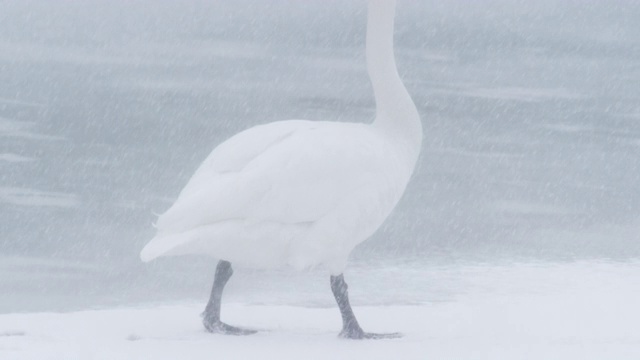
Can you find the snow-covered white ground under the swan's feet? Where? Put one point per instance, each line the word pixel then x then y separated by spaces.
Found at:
pixel 583 310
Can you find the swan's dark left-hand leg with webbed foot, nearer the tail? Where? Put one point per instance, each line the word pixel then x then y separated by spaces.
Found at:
pixel 211 314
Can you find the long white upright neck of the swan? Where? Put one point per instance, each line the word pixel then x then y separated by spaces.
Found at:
pixel 396 113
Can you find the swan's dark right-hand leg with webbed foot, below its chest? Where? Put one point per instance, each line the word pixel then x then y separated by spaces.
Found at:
pixel 350 327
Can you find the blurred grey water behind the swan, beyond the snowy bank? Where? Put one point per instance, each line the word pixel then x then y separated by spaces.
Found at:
pixel 531 113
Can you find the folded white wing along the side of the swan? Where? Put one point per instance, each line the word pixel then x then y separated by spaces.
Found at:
pixel 286 172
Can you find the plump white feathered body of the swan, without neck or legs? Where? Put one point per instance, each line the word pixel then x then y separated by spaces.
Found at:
pixel 297 193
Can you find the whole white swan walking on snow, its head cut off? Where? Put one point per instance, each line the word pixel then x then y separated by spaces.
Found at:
pixel 300 193
